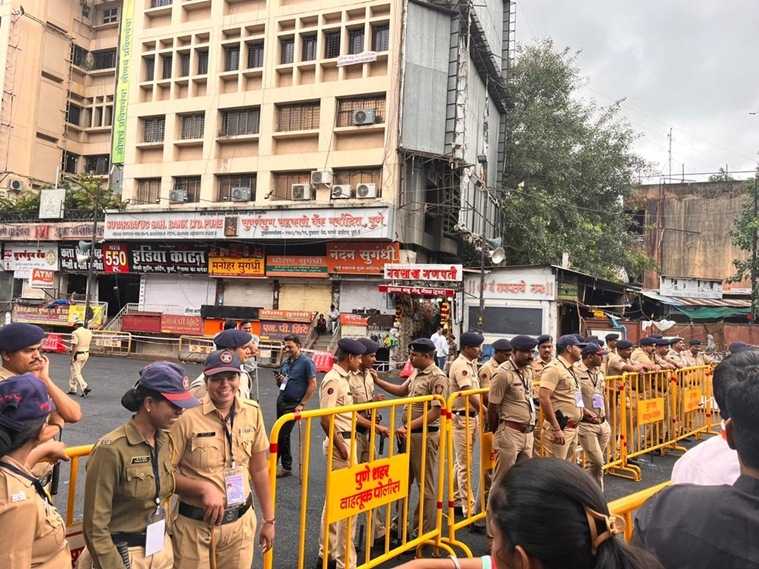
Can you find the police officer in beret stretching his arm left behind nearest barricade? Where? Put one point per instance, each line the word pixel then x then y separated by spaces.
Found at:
pixel 426 379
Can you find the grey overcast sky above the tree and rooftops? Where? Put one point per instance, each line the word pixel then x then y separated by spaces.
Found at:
pixel 689 65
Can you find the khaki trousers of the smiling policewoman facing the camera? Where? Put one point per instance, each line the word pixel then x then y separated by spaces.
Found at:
pixel 233 542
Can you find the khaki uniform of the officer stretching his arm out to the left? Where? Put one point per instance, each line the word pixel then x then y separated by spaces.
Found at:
pixel 429 381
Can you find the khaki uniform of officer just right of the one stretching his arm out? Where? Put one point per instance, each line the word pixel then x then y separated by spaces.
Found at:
pixel 463 377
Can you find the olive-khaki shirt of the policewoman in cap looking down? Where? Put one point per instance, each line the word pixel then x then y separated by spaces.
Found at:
pixel 120 489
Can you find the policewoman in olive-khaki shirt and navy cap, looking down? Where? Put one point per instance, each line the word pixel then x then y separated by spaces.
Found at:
pixel 130 476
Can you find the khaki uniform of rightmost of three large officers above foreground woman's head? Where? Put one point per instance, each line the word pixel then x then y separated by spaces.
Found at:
pixel 594 437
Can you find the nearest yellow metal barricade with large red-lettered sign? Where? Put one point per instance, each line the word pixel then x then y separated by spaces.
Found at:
pixel 366 487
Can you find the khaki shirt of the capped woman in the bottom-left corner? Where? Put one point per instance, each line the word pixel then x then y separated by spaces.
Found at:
pixel 35 533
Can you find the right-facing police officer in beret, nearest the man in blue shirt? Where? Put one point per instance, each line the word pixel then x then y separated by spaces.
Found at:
pixel 336 391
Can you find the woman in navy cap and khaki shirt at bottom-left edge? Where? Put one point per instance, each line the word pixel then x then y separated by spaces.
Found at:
pixel 34 531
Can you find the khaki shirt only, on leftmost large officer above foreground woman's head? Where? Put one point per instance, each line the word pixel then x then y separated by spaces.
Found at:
pixel 511 390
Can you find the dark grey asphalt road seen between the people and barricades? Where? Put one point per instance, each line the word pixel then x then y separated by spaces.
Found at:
pixel 111 377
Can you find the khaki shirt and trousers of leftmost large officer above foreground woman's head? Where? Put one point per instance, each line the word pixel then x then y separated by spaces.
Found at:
pixel 511 391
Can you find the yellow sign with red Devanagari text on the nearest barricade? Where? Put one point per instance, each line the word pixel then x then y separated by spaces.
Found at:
pixel 366 486
